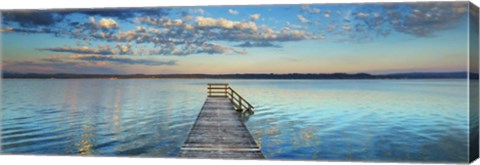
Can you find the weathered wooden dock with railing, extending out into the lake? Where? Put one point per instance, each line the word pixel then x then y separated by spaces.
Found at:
pixel 219 131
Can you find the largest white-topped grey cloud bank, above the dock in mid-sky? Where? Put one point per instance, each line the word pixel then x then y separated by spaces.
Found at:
pixel 206 29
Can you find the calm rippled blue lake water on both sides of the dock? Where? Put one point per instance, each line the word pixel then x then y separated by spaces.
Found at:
pixel 368 120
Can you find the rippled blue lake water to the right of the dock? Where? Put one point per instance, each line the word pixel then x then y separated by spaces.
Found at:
pixel 360 120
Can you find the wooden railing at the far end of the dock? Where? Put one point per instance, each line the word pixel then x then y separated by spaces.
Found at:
pixel 238 101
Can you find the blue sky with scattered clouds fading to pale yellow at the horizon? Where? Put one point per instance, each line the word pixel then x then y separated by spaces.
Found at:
pixel 373 38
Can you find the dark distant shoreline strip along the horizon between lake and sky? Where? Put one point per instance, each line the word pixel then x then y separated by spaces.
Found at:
pixel 300 76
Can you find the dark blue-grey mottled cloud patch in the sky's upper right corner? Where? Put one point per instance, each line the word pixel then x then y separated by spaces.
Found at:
pixel 421 19
